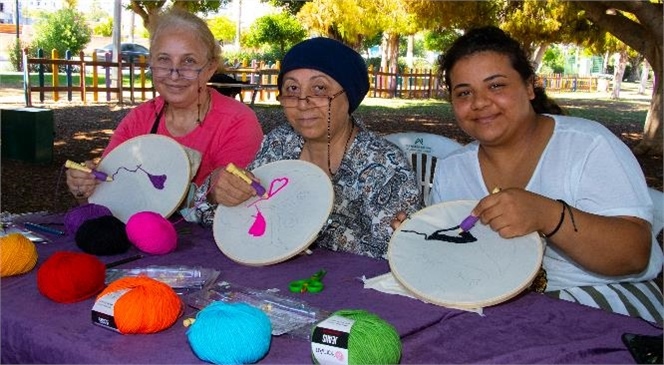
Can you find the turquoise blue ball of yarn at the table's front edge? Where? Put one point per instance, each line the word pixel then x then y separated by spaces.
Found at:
pixel 230 333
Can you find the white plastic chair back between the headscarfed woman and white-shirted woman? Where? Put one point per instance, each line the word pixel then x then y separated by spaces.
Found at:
pixel 423 150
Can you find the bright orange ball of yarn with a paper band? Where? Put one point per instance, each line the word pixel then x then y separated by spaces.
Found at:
pixel 148 306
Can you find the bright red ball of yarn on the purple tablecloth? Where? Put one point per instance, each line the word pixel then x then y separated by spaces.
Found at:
pixel 69 277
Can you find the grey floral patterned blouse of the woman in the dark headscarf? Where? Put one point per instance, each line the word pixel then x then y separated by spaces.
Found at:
pixel 373 183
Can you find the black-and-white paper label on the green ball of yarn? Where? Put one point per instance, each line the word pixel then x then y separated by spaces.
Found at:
pixel 329 340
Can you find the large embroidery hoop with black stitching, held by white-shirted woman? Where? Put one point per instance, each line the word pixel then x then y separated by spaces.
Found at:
pixel 470 275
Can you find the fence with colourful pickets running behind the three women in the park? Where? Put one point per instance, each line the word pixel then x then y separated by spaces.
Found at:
pixel 90 79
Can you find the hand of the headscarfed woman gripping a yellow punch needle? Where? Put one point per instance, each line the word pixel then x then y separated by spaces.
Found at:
pixel 228 189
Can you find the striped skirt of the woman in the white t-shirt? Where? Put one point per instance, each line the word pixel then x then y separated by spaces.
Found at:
pixel 643 299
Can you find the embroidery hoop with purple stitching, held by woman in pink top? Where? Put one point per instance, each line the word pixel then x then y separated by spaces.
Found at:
pixel 133 192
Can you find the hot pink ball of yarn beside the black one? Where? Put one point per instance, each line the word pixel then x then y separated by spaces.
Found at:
pixel 152 233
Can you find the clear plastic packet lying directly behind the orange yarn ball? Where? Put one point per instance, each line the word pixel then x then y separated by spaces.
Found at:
pixel 183 279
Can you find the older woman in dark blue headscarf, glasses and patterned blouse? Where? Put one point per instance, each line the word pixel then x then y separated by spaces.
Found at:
pixel 321 83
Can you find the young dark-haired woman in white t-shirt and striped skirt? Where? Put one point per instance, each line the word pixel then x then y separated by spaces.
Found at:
pixel 569 179
